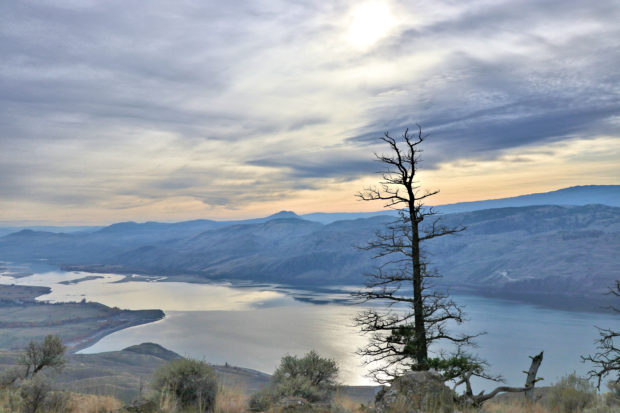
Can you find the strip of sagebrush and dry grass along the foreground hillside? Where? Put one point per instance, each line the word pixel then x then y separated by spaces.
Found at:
pixel 299 384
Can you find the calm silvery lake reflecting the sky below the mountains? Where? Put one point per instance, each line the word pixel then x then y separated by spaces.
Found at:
pixel 253 326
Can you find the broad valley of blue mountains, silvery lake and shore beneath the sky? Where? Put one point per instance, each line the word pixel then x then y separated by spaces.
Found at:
pixel 531 277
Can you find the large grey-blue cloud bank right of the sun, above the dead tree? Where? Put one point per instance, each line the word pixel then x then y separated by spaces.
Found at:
pixel 512 74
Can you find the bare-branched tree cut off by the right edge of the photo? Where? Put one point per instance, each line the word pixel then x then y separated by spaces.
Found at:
pixel 606 360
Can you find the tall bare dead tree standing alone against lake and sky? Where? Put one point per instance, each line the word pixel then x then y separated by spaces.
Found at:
pixel 417 314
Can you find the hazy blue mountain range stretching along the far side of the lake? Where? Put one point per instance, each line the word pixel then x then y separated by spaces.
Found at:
pixel 536 249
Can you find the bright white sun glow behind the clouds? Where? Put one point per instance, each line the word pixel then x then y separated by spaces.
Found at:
pixel 369 22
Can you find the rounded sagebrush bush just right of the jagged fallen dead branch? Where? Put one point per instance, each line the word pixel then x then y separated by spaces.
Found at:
pixel 572 394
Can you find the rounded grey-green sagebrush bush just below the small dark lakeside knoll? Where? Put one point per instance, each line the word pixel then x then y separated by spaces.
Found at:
pixel 188 383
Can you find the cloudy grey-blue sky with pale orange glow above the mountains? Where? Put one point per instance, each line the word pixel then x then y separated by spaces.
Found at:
pixel 123 110
